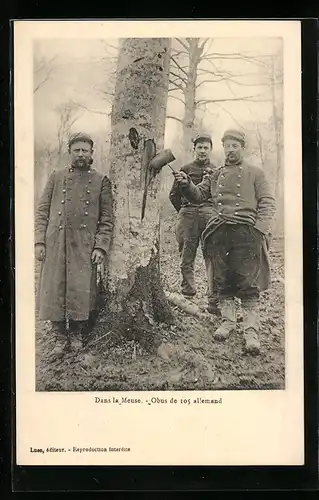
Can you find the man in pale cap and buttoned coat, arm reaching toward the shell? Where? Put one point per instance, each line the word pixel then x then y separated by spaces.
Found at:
pixel 237 235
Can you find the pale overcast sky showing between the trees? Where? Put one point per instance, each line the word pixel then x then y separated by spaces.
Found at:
pixel 79 66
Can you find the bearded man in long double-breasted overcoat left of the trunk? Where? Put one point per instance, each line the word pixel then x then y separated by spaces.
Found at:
pixel 73 228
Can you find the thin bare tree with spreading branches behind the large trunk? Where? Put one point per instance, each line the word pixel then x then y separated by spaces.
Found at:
pixel 193 64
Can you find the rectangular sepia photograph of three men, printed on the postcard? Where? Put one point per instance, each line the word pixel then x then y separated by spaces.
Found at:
pixel 159 235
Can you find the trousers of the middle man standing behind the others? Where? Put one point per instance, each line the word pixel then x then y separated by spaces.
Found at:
pixel 191 222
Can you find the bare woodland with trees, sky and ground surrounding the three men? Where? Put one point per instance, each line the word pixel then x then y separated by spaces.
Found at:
pixel 166 91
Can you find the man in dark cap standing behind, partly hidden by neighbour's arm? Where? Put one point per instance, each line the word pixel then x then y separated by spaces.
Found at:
pixel 192 219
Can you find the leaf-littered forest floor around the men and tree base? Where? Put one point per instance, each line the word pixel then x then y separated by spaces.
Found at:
pixel 189 358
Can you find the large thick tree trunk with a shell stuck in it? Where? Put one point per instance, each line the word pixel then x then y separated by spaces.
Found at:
pixel 135 297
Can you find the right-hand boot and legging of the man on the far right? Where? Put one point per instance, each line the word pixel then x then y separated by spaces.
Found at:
pixel 251 327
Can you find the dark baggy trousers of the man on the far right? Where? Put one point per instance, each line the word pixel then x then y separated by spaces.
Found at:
pixel 235 250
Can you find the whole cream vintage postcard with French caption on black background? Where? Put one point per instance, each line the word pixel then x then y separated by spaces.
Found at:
pixel 158 243
